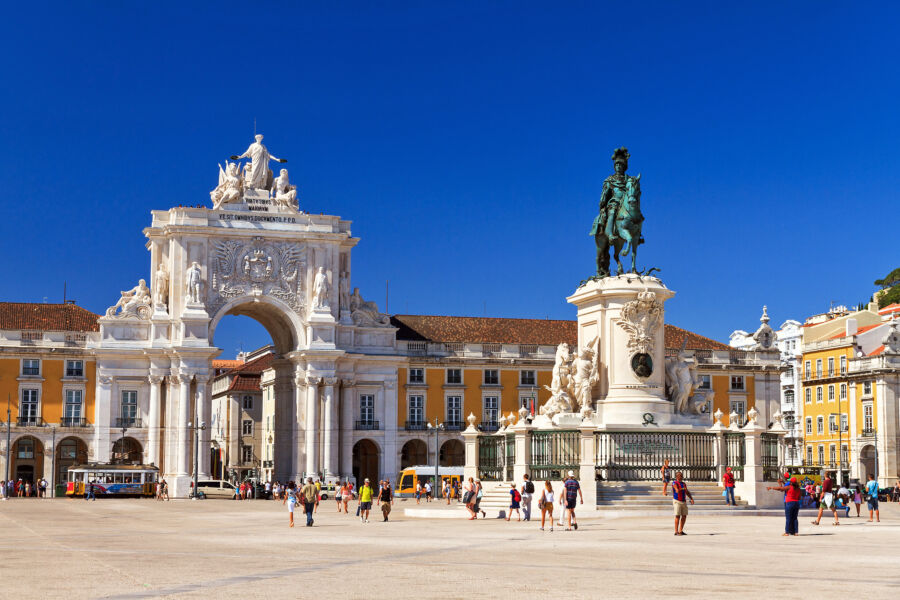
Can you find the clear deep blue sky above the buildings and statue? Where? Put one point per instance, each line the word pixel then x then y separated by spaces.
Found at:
pixel 468 143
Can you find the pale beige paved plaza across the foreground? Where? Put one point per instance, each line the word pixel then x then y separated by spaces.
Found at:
pixel 224 549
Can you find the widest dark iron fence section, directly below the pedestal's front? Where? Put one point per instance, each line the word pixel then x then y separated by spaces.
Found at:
pixel 639 456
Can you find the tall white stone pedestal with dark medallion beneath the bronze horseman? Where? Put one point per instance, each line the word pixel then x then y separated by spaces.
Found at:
pixel 627 314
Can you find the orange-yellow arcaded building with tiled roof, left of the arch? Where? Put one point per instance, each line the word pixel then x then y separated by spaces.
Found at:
pixel 47 375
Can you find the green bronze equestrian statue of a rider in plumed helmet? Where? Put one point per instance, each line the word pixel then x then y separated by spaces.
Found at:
pixel 618 223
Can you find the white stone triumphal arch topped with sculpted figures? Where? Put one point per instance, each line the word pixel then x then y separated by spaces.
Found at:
pixel 253 251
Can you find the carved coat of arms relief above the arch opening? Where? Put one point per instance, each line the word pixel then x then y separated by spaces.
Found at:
pixel 257 268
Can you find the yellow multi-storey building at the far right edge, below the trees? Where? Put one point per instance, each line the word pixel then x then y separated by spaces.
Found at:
pixel 846 367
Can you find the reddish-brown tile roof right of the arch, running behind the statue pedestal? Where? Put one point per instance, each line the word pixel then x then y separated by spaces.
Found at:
pixel 544 332
